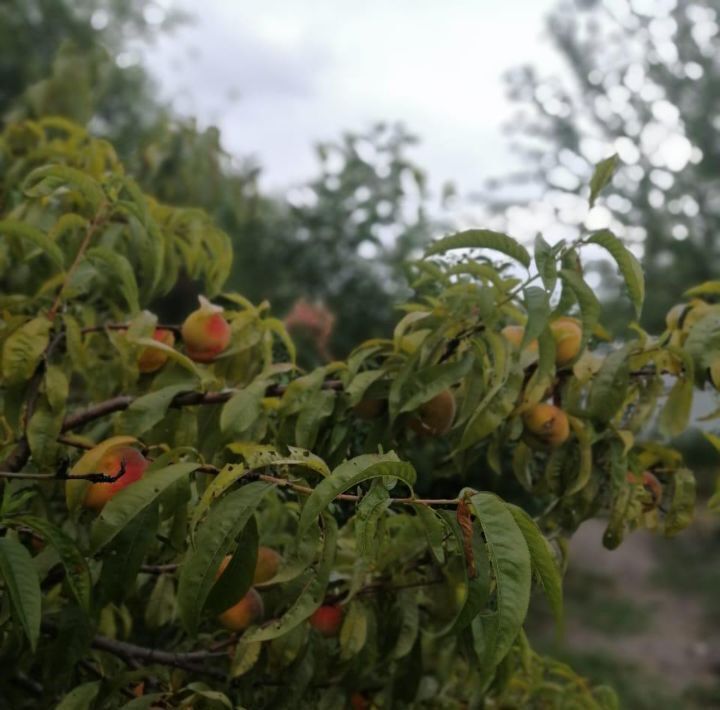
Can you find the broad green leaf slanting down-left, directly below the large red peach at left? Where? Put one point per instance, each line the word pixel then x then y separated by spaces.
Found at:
pixel 129 502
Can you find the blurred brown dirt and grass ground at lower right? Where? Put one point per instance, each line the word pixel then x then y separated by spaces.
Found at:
pixel 644 618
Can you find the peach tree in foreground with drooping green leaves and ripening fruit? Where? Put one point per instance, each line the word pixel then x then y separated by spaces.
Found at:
pixel 189 518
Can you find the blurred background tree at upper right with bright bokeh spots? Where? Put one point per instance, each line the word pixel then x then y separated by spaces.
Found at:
pixel 642 79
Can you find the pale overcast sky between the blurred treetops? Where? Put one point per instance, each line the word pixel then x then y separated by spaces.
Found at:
pixel 278 75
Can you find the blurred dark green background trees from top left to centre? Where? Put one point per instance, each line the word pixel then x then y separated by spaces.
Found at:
pixel 340 239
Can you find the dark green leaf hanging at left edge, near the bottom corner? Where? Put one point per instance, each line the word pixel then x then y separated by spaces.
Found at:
pixel 22 585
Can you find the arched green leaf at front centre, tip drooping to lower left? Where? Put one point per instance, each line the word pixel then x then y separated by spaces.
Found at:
pixel 349 474
